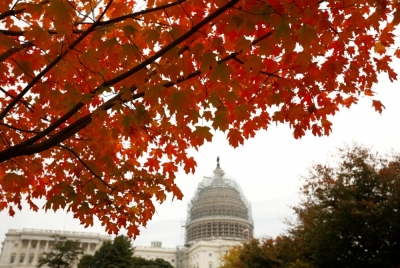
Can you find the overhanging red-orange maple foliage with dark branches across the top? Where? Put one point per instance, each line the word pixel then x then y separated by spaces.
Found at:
pixel 101 100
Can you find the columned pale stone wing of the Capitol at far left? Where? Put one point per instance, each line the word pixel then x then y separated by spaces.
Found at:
pixel 24 248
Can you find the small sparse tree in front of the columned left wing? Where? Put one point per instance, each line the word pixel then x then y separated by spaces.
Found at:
pixel 64 255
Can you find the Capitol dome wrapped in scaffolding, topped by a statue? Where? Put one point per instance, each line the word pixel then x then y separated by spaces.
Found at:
pixel 219 210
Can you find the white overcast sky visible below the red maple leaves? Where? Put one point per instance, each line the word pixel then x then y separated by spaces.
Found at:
pixel 267 167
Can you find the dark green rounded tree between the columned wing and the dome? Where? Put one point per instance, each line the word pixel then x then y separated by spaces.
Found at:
pixel 115 254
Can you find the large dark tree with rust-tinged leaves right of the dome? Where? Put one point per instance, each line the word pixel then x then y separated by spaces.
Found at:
pixel 349 216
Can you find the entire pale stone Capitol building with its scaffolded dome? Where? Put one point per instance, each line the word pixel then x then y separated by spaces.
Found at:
pixel 219 217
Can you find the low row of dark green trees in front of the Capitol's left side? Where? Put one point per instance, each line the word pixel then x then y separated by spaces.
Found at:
pixel 116 254
